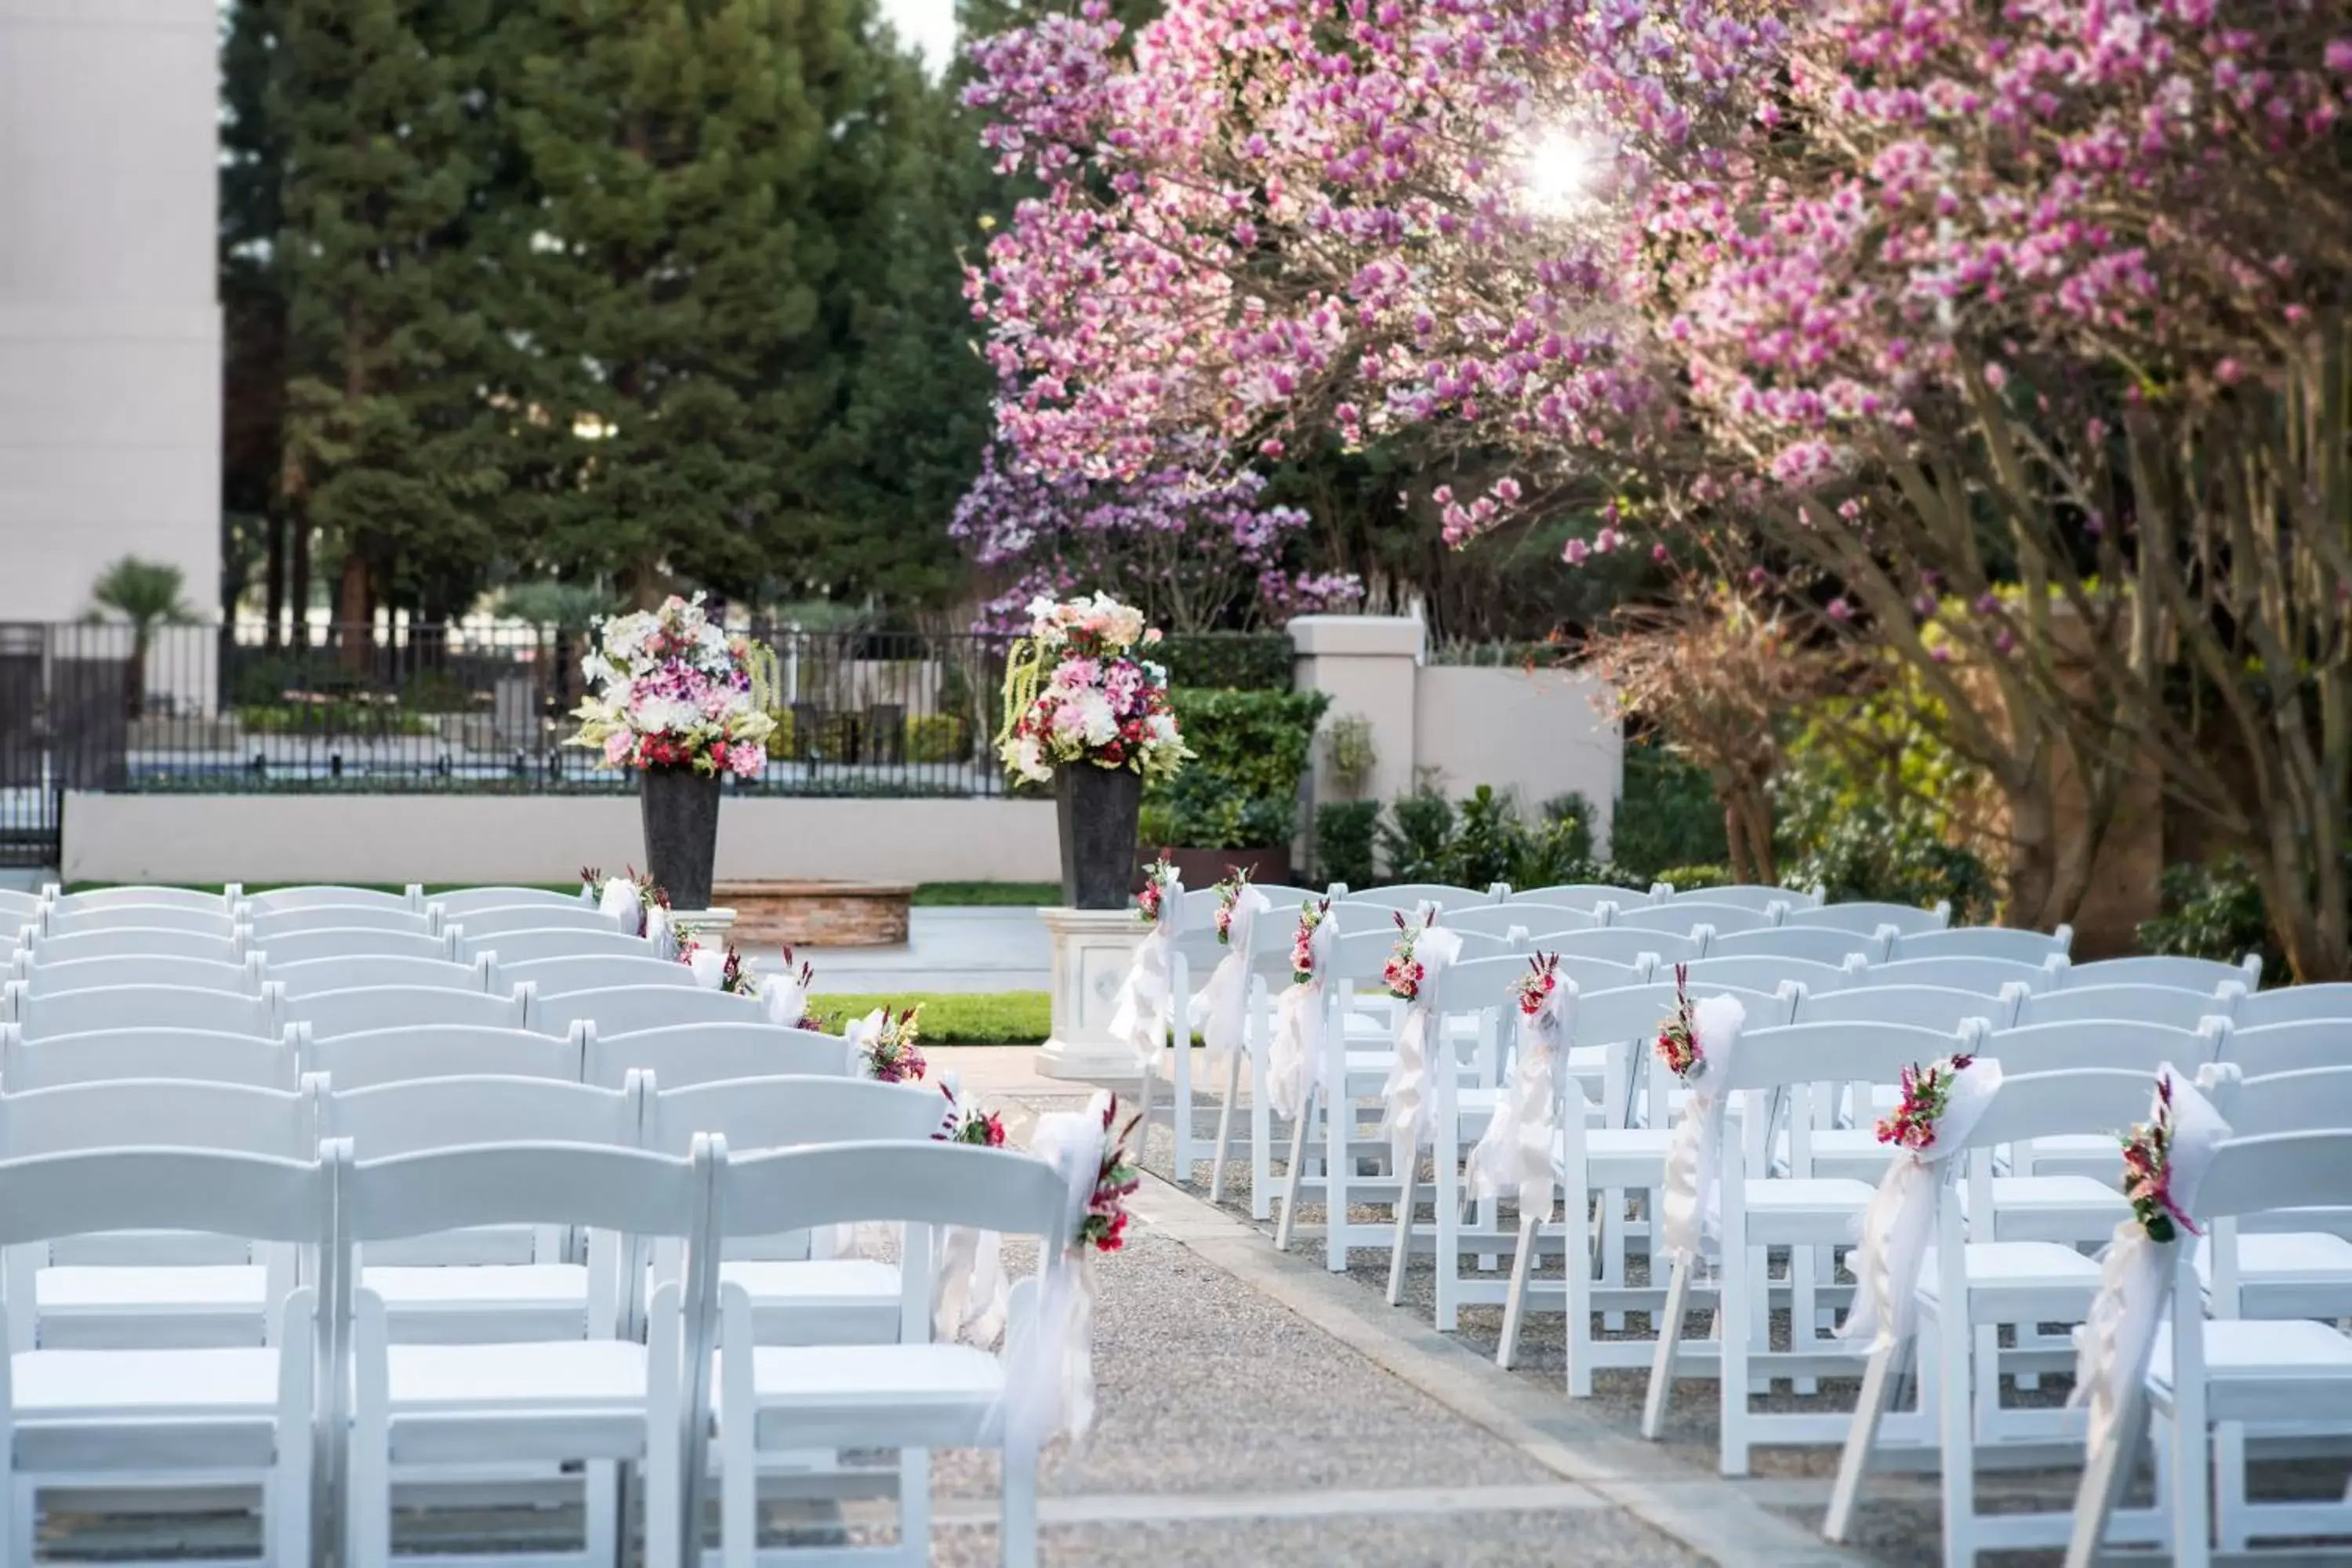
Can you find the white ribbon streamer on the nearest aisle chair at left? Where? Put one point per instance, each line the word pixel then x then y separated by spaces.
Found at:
pixel 1050 1388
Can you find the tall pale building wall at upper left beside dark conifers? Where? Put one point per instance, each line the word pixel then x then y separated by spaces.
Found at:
pixel 109 323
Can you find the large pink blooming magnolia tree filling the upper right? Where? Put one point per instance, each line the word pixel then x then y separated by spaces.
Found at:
pixel 2010 333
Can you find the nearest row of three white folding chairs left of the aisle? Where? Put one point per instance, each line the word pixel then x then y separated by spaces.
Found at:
pixel 434 1402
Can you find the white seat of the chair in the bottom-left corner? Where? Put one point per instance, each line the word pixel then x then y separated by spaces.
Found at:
pixel 131 1386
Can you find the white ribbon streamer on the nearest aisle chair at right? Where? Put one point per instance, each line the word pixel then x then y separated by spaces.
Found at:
pixel 2132 1273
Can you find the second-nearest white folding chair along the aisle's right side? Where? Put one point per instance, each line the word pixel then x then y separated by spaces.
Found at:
pixel 1970 1287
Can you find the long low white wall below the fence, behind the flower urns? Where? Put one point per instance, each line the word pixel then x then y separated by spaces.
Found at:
pixel 547 838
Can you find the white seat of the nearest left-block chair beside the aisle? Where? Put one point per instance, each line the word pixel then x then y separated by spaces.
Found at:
pixel 944 1395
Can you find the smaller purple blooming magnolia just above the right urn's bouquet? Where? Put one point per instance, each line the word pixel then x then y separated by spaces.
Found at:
pixel 1194 554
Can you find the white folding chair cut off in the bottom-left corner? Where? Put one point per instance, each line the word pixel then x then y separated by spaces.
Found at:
pixel 173 1419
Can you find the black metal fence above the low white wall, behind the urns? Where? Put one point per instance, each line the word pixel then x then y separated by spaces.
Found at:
pixel 479 709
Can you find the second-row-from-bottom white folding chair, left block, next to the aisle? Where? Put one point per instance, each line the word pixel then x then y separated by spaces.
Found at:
pixel 799 1299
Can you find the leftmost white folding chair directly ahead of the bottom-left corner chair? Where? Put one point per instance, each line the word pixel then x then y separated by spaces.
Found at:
pixel 152 1292
